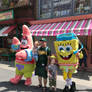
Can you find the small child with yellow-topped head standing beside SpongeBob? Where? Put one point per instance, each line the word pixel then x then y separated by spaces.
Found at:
pixel 52 70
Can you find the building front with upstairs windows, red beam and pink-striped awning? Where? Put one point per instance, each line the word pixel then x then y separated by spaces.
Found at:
pixel 54 17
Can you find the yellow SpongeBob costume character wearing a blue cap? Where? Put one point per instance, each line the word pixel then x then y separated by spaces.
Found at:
pixel 67 50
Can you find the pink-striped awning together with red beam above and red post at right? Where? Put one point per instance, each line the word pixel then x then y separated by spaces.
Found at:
pixel 50 28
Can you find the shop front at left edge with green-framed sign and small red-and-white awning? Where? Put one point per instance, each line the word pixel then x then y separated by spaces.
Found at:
pixel 7 31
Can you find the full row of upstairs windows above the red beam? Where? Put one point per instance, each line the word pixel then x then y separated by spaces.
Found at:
pixel 61 8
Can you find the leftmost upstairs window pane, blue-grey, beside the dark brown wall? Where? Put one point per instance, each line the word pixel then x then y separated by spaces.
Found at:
pixel 45 8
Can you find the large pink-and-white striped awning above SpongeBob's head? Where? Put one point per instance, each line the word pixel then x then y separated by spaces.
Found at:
pixel 80 27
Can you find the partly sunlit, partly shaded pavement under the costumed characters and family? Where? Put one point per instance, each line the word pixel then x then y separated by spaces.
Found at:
pixel 83 80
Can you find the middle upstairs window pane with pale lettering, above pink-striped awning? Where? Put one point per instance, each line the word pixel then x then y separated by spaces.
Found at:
pixel 62 7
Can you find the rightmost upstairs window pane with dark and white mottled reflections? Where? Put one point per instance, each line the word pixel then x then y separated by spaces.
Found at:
pixel 82 6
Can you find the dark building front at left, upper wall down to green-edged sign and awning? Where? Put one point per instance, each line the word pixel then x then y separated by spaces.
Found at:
pixel 13 14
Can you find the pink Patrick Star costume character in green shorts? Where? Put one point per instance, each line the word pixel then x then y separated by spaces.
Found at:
pixel 24 62
